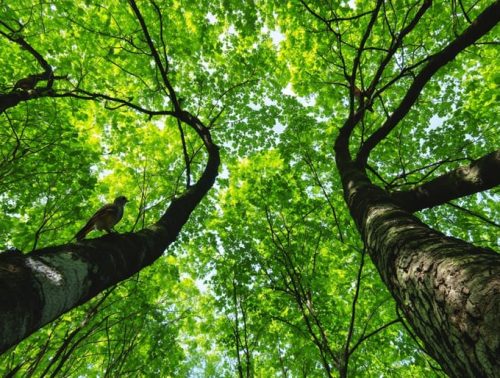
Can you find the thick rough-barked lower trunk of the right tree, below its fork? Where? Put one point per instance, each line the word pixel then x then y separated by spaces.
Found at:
pixel 448 290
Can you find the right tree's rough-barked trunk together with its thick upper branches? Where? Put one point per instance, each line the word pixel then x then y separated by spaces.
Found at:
pixel 448 290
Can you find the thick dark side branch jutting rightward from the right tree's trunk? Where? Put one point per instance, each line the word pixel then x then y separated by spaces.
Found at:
pixel 482 174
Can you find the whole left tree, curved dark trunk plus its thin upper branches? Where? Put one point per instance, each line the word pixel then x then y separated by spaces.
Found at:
pixel 39 287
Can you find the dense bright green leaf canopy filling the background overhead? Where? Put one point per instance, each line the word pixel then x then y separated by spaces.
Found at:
pixel 269 277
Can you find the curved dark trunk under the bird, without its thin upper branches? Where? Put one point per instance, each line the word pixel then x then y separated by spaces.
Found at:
pixel 38 287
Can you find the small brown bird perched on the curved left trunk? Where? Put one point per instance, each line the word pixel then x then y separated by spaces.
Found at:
pixel 105 218
